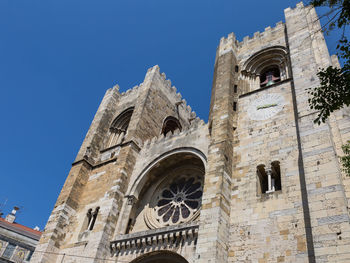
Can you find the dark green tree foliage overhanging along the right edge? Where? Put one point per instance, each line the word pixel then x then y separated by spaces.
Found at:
pixel 333 92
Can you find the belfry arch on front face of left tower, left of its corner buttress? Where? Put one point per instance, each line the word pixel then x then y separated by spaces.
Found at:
pixel 119 127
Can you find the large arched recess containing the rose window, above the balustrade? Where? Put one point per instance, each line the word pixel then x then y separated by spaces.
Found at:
pixel 170 193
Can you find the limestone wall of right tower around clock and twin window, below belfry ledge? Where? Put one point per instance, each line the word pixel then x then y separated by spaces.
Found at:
pixel 271 225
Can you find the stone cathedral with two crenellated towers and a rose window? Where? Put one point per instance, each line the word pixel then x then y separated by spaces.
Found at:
pixel 260 182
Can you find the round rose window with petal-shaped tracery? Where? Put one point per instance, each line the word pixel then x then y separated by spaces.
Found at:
pixel 177 200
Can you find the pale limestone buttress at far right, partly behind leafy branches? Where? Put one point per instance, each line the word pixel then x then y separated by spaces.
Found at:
pixel 325 196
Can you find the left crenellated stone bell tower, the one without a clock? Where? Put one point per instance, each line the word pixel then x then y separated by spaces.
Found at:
pixel 85 215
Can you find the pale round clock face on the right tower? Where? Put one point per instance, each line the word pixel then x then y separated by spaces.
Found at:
pixel 266 106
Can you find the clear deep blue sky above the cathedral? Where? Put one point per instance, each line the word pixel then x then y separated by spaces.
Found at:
pixel 57 59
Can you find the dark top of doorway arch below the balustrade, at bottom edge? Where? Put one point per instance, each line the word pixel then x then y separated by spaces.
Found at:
pixel 160 257
